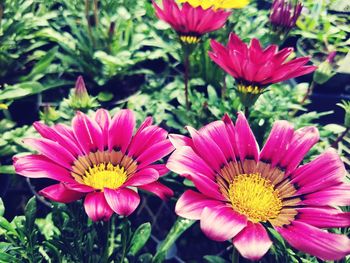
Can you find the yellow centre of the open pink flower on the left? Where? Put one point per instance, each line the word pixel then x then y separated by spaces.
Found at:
pixel 105 175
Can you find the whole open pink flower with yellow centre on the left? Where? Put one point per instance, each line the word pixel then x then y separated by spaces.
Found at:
pixel 100 159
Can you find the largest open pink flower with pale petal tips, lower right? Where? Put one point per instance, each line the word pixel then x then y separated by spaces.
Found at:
pixel 242 189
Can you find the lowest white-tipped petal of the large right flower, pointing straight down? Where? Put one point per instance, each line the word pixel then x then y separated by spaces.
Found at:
pixel 252 242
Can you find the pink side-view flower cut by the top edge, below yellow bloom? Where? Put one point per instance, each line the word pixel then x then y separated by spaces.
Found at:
pixel 191 22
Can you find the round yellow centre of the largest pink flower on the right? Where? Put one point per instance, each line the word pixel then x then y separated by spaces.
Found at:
pixel 254 197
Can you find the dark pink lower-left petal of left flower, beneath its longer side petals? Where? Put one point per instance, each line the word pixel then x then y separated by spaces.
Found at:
pixel 60 193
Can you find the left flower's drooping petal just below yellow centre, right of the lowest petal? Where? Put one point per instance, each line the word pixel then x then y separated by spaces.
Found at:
pixel 123 201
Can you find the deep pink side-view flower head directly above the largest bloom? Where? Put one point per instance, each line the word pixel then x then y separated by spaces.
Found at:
pixel 255 68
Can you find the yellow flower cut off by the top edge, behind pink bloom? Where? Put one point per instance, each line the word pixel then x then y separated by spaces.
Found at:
pixel 217 4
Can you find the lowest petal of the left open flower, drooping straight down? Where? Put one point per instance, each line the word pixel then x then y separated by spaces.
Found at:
pixel 96 207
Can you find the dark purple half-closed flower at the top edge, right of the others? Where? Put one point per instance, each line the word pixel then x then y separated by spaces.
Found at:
pixel 285 13
